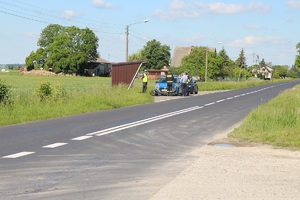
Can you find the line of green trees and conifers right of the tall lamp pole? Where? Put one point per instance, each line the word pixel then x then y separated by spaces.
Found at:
pixel 220 66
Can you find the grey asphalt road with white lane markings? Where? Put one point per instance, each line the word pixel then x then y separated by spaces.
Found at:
pixel 127 153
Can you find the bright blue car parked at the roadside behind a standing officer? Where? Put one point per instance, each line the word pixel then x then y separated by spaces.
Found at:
pixel 161 87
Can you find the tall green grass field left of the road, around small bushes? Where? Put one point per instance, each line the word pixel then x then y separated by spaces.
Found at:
pixel 81 95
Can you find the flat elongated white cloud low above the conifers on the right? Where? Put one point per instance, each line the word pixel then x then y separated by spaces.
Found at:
pixel 256 40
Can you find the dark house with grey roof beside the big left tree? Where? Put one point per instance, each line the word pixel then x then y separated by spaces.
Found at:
pixel 100 67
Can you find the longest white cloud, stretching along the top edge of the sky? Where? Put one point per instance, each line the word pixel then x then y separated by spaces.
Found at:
pixel 179 9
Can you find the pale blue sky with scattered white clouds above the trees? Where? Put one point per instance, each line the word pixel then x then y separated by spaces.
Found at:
pixel 269 29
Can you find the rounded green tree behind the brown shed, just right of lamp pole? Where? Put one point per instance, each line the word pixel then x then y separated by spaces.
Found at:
pixel 156 55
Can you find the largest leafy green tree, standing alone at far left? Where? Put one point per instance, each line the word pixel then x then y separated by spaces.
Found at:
pixel 64 49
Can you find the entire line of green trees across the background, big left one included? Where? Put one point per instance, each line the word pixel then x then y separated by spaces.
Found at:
pixel 69 49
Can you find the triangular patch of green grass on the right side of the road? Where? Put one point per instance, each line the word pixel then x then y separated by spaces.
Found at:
pixel 276 123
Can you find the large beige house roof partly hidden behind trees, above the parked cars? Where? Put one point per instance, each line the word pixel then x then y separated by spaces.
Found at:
pixel 181 52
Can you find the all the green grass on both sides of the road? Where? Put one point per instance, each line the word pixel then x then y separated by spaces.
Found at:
pixel 35 98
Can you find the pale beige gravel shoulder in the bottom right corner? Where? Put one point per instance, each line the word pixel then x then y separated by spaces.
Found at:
pixel 236 171
